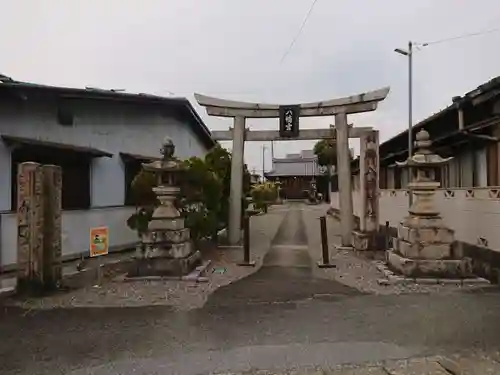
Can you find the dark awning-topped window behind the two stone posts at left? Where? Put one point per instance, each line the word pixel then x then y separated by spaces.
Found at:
pixel 75 174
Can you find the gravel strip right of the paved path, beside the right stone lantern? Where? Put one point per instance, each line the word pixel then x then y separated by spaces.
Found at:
pixel 355 270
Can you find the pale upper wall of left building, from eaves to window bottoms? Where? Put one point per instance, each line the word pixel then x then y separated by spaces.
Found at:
pixel 106 125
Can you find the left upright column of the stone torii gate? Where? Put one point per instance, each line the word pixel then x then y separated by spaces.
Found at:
pixel 234 230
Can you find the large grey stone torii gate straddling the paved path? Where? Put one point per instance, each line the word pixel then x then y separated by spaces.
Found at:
pixel 339 108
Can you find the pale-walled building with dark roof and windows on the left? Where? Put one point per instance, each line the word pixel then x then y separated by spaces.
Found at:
pixel 99 138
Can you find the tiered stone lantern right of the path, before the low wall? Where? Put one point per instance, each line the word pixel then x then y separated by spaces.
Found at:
pixel 423 247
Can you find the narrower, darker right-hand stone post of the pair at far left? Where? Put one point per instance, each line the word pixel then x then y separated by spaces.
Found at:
pixel 52 178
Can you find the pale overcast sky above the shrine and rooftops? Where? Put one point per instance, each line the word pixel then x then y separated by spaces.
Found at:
pixel 233 48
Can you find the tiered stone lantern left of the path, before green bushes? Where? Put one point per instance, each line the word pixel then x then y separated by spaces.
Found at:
pixel 167 243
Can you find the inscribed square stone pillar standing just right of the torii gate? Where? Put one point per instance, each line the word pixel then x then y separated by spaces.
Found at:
pixel 369 189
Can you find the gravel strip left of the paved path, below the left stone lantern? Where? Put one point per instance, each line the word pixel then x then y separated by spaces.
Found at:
pixel 180 295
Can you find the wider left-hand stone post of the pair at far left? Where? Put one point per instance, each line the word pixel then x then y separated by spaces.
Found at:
pixel 30 221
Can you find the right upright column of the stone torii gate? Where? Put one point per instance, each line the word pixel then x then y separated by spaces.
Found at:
pixel 344 176
